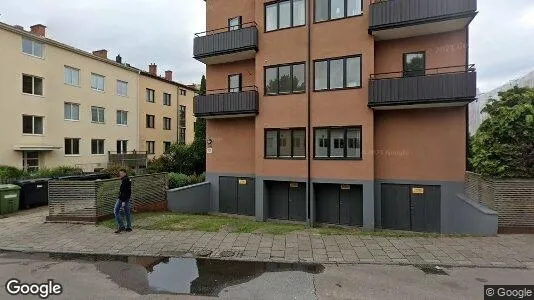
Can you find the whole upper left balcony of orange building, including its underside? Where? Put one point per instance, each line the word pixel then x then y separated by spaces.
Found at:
pixel 226 44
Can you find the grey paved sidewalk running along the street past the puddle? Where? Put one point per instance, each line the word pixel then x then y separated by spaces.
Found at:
pixel 28 232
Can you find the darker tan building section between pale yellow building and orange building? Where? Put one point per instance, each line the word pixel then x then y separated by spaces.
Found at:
pixel 165 112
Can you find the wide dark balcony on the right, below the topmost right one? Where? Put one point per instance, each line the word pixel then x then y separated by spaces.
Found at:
pixel 438 87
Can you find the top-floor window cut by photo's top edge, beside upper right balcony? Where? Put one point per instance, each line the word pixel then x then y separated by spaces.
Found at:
pixel 336 9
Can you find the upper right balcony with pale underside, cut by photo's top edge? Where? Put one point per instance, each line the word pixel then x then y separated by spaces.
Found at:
pixel 396 19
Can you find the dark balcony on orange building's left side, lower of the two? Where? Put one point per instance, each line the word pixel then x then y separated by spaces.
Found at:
pixel 225 104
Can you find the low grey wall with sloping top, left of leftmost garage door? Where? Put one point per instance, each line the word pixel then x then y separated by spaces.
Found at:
pixel 190 199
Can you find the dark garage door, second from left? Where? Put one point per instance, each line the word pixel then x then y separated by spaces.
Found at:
pixel 286 200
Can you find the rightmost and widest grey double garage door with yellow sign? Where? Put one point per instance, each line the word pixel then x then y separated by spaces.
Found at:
pixel 411 207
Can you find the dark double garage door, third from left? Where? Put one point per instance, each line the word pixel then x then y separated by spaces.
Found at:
pixel 339 204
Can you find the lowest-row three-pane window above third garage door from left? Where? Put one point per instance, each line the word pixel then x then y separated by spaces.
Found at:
pixel 338 143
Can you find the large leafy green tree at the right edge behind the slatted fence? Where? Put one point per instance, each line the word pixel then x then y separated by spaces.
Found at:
pixel 503 146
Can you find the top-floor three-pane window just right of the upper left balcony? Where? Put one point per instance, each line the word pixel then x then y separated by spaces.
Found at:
pixel 285 14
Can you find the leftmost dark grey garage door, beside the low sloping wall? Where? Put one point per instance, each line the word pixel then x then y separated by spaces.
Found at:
pixel 237 195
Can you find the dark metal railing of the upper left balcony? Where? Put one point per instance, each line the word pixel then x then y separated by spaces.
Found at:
pixel 225 41
